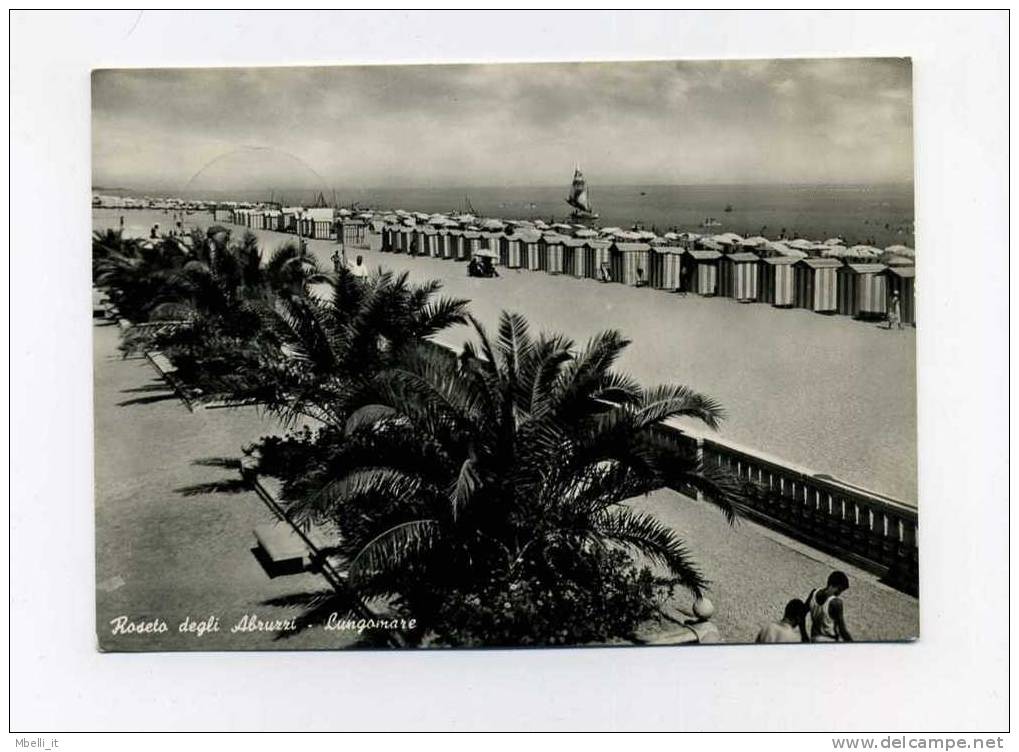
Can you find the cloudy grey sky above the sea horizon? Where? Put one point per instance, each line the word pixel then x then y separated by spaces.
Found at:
pixel 843 121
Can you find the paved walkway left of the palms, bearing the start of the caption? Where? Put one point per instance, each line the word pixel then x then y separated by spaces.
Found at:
pixel 162 554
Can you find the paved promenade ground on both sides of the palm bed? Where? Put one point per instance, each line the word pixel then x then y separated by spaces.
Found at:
pixel 165 554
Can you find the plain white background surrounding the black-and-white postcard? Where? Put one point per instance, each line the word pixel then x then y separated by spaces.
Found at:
pixel 954 679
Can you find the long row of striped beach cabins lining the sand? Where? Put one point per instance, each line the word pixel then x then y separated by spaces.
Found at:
pixel 827 286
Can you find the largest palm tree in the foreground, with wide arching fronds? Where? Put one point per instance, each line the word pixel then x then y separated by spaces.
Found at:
pixel 509 468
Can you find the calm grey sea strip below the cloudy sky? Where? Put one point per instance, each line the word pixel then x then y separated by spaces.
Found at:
pixel 877 214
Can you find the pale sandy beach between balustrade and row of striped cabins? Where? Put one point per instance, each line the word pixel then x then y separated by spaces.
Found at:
pixel 828 393
